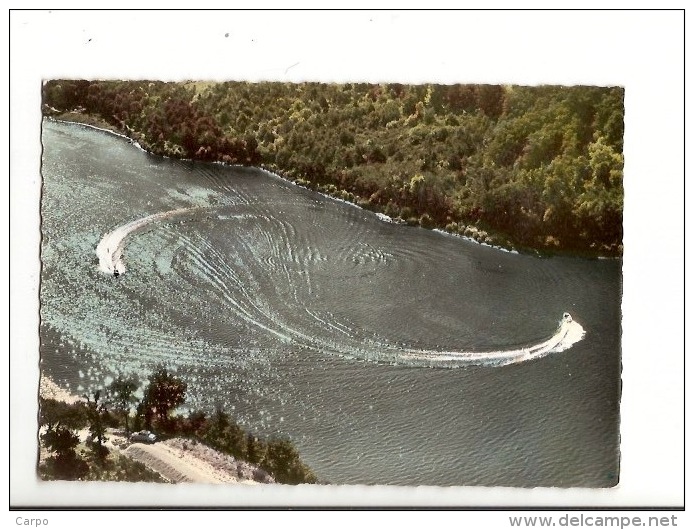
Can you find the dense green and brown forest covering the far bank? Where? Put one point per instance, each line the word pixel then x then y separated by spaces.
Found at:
pixel 530 168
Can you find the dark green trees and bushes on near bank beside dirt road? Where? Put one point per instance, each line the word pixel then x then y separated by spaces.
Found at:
pixel 113 406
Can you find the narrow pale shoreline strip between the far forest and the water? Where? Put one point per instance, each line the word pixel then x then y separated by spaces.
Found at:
pixel 487 238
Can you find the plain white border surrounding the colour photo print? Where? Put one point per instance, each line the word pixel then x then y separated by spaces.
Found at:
pixel 642 51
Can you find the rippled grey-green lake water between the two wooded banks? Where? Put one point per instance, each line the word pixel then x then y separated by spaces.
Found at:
pixel 291 310
